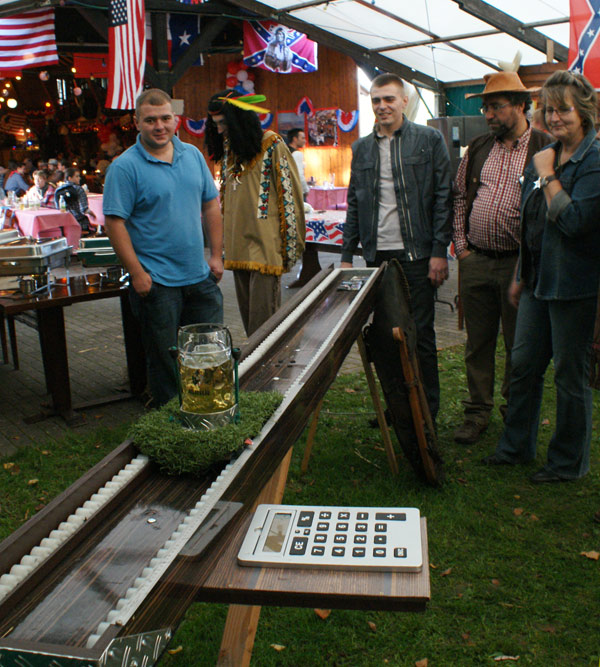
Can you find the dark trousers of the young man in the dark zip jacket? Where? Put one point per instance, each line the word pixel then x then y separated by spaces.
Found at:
pixel 422 300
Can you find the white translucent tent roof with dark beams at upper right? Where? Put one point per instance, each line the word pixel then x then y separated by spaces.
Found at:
pixel 439 41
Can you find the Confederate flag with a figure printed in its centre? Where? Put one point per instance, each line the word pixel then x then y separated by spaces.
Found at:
pixel 274 47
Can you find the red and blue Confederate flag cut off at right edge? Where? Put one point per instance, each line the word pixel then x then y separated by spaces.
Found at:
pixel 584 45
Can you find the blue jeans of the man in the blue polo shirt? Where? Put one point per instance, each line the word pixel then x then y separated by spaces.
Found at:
pixel 160 314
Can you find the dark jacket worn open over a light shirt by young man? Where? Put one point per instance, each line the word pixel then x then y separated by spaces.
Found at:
pixel 421 168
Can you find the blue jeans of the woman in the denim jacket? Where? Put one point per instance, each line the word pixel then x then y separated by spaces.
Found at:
pixel 561 330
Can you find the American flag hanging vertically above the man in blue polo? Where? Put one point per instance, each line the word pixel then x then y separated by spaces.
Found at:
pixel 126 53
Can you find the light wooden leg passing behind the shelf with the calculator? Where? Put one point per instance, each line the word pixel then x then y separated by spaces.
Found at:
pixel 242 620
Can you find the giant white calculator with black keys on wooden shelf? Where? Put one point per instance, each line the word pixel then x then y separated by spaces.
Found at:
pixel 349 538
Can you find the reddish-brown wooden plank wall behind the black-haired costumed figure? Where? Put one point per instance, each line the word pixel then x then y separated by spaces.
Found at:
pixel 334 85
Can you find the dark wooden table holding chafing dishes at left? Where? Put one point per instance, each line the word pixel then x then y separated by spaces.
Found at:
pixel 49 311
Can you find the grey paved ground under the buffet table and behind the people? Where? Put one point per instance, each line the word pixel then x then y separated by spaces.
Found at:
pixel 97 363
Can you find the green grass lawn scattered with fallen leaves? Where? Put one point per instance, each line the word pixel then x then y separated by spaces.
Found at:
pixel 508 576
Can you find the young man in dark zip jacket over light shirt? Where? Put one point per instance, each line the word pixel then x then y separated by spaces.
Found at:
pixel 399 206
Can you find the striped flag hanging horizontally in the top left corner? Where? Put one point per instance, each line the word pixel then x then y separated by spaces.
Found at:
pixel 27 40
